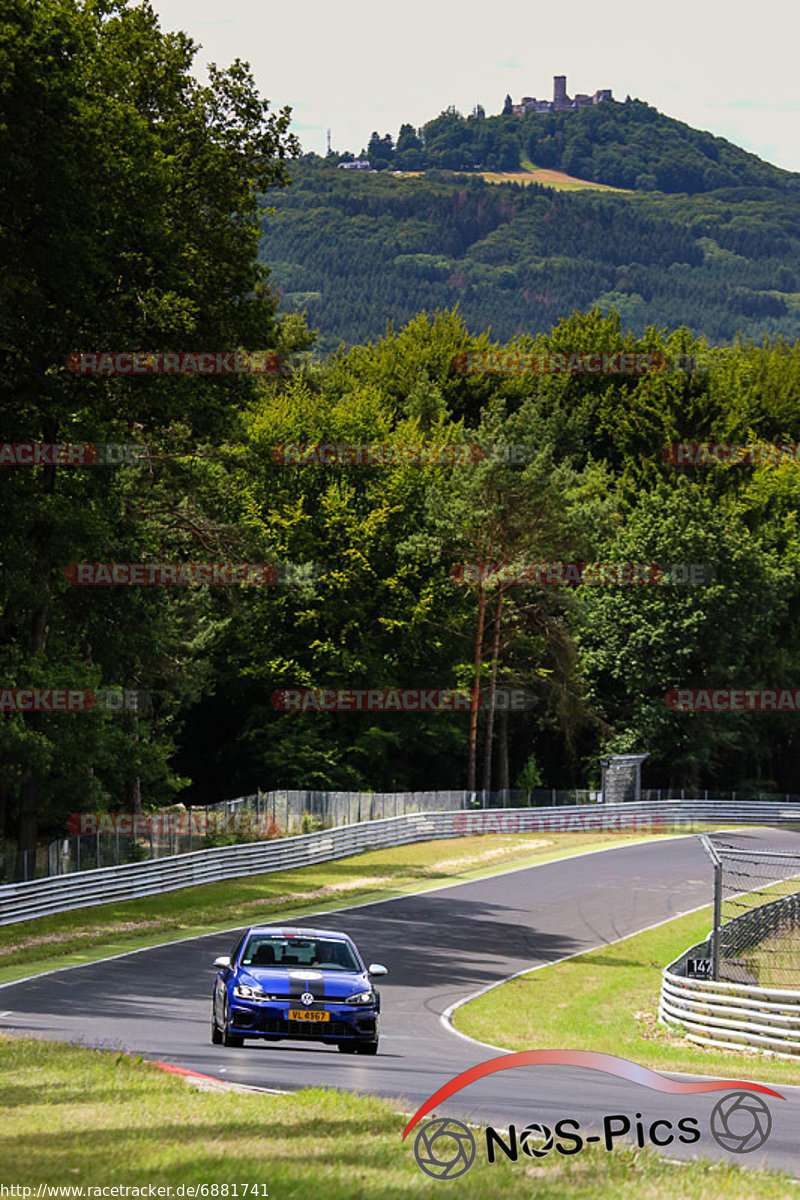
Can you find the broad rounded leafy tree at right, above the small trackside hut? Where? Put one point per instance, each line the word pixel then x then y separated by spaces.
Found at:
pixel 641 643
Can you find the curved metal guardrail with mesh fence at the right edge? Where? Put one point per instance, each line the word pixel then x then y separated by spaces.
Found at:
pixel 730 1015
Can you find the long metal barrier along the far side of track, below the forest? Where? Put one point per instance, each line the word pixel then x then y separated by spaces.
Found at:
pixel 83 890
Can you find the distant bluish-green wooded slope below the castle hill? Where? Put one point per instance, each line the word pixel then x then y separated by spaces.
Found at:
pixel 358 251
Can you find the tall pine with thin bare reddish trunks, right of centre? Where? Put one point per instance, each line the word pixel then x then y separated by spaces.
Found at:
pixel 496 517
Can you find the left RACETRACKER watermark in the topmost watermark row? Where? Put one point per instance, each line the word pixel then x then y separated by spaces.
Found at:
pixel 173 363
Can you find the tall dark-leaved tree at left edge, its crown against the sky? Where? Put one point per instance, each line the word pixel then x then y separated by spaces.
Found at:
pixel 103 119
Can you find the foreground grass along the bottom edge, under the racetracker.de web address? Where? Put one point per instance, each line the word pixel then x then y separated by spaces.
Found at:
pixel 92 1119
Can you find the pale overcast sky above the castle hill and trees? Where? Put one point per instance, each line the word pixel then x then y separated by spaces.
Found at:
pixel 727 67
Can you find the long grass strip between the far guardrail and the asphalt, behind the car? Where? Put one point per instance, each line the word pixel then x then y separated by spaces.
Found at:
pixel 86 935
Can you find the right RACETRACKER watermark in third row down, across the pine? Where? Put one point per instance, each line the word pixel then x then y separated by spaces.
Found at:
pixel 590 574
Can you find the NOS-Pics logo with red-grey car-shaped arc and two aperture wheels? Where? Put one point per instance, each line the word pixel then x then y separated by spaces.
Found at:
pixel 446 1149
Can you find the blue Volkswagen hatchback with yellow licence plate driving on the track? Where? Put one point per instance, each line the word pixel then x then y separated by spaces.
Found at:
pixel 310 985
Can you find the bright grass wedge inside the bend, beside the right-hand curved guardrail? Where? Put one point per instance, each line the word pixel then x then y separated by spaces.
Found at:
pixel 607 1000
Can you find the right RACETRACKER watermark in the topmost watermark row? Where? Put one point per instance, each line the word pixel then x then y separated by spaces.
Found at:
pixel 513 363
